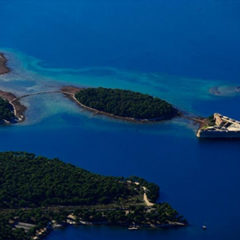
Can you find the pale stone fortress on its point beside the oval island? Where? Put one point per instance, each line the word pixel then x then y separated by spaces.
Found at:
pixel 219 126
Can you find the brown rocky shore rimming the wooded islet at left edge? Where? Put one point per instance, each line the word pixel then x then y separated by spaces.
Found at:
pixel 18 108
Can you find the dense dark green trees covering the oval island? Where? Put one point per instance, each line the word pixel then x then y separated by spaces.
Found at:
pixel 126 103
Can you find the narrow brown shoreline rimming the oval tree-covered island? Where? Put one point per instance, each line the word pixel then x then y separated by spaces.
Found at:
pixel 70 91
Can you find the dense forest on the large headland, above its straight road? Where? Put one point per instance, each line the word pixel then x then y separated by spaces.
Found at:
pixel 27 180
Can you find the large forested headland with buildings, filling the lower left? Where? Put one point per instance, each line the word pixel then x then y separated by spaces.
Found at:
pixel 38 194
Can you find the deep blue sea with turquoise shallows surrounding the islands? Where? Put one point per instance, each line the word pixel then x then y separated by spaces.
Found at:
pixel 173 49
